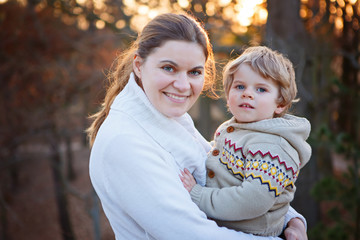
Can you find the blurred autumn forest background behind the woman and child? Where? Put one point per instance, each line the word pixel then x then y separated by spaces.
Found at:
pixel 54 56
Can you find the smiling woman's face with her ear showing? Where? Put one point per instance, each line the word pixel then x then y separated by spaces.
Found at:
pixel 172 76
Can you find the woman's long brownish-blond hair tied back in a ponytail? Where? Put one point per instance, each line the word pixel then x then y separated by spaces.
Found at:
pixel 162 28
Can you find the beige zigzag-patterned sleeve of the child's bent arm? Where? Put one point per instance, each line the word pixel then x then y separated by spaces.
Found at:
pixel 264 179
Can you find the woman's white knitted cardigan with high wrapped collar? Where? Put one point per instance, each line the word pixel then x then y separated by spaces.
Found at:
pixel 134 167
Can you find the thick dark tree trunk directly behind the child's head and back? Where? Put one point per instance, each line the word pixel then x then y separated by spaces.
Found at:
pixel 286 33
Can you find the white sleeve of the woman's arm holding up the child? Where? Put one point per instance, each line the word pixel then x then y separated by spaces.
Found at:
pixel 138 179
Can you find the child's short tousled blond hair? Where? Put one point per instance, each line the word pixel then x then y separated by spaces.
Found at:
pixel 269 64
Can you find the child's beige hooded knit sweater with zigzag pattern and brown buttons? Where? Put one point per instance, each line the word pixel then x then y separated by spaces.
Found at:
pixel 251 172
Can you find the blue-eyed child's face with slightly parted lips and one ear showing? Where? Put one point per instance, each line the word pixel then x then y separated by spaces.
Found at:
pixel 251 97
